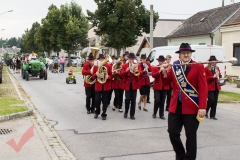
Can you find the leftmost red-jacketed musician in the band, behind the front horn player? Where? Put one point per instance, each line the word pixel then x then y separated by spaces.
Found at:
pixel 89 89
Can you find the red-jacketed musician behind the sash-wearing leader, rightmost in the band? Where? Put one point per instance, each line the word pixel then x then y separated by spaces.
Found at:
pixel 212 74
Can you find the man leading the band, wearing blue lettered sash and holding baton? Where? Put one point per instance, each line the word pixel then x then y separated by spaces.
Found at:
pixel 189 97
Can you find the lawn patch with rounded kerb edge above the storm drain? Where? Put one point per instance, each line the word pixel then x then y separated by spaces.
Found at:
pixel 9 106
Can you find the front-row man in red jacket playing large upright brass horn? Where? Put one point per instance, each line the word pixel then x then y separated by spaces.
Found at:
pixel 102 90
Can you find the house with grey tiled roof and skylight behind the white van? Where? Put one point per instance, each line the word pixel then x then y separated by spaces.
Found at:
pixel 203 28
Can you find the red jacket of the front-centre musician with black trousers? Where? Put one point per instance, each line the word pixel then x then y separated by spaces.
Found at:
pixel 127 76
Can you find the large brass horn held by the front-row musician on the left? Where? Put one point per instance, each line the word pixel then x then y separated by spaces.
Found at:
pixel 102 69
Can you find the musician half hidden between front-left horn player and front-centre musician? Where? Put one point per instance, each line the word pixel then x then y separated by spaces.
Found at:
pixel 116 85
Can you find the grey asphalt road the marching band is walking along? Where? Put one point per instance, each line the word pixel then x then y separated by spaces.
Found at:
pixel 124 139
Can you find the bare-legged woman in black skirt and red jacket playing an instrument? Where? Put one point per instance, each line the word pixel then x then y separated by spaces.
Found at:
pixel 144 81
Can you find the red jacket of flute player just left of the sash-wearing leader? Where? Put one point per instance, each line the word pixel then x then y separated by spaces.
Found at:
pixel 157 84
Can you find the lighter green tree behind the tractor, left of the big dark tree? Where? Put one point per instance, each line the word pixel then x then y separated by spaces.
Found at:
pixel 72 28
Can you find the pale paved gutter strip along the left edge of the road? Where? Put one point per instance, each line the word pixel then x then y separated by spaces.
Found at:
pixel 55 147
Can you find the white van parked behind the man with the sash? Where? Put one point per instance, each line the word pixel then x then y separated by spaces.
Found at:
pixel 201 54
